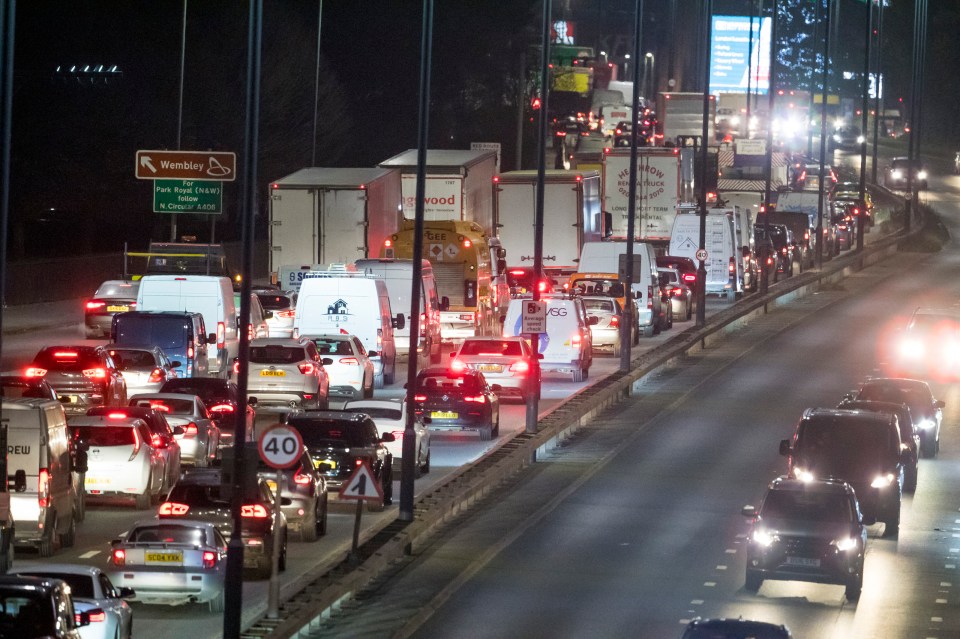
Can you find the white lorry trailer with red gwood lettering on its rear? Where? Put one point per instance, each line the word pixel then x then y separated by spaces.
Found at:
pixel 457 185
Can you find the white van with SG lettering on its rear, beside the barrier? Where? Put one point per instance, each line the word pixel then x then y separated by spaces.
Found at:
pixel 567 346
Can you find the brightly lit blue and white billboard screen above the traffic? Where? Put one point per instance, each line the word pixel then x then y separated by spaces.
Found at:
pixel 729 48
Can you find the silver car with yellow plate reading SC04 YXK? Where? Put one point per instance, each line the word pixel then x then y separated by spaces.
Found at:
pixel 171 562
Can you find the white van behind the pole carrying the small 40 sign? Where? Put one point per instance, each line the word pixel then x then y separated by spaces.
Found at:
pixel 724 262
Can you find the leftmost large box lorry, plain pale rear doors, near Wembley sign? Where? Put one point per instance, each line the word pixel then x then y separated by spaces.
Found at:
pixel 325 215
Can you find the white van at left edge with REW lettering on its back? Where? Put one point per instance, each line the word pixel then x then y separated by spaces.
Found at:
pixel 38 444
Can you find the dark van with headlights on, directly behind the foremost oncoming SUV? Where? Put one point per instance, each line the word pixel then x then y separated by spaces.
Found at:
pixel 855 446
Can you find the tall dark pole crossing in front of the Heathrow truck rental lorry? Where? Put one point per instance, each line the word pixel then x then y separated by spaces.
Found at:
pixel 629 323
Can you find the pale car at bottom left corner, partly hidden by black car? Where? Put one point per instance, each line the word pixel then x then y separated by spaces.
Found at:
pixel 110 615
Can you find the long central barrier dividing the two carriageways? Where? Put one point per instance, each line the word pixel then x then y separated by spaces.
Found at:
pixel 309 599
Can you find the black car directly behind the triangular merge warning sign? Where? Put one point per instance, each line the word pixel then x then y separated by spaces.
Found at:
pixel 340 441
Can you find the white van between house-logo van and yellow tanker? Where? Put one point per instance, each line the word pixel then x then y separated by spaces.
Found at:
pixel 398 276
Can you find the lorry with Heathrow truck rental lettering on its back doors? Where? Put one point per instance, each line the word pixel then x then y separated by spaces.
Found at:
pixel 659 192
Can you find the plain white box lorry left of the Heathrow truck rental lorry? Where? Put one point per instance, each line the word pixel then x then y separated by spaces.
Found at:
pixel 571 216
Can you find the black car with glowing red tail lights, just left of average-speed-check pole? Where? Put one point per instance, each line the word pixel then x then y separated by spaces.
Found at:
pixel 458 400
